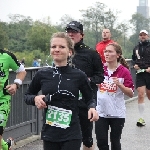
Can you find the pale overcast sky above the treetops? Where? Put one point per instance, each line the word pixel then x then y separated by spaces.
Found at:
pixel 38 9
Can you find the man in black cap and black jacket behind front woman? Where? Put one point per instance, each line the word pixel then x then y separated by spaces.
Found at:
pixel 89 61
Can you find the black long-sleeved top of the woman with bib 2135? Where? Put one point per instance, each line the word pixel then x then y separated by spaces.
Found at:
pixel 63 84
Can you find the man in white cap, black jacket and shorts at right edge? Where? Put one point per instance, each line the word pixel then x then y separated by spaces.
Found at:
pixel 141 59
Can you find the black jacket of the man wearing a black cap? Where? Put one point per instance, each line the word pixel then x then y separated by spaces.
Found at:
pixel 89 61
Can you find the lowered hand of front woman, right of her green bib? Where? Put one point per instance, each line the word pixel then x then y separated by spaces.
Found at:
pixel 93 115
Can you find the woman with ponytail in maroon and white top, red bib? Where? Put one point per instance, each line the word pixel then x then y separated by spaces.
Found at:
pixel 110 98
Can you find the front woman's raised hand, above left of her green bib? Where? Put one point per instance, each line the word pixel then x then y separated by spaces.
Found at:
pixel 39 102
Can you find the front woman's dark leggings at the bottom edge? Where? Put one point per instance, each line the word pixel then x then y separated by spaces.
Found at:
pixel 66 145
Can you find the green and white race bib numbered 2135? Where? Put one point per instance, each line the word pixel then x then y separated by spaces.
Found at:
pixel 58 117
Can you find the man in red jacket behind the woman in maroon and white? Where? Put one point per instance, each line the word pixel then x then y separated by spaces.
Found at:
pixel 100 47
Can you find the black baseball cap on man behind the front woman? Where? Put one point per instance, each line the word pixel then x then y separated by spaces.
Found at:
pixel 75 25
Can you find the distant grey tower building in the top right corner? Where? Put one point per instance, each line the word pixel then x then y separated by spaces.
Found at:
pixel 143 8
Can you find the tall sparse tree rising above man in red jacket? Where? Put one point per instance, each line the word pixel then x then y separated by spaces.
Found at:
pixel 97 17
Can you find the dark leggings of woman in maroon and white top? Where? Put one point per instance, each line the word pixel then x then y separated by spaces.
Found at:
pixel 101 130
